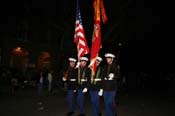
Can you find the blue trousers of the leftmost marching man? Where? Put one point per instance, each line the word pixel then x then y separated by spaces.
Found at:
pixel 70 100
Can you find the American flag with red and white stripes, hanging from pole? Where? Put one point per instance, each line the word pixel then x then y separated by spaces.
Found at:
pixel 79 36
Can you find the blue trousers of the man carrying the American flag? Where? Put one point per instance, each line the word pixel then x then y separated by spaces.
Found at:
pixel 80 101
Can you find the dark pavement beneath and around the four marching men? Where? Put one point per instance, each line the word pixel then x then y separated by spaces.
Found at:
pixel 136 103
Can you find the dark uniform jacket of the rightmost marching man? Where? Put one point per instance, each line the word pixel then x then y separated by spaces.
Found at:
pixel 110 85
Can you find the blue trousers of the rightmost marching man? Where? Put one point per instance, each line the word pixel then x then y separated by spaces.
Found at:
pixel 109 101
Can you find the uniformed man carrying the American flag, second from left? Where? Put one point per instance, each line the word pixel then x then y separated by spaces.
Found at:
pixel 84 75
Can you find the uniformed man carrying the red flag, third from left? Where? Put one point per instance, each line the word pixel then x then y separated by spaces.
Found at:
pixel 96 88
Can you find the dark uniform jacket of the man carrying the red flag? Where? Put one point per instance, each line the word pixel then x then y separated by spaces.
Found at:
pixel 96 83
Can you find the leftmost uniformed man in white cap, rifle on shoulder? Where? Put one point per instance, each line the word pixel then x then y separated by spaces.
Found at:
pixel 70 77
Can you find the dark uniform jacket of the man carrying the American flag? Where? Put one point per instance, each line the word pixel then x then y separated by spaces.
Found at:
pixel 85 76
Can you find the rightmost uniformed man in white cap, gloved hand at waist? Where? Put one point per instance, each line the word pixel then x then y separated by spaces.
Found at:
pixel 110 77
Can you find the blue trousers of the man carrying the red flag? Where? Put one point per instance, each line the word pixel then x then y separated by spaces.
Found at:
pixel 95 102
